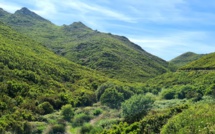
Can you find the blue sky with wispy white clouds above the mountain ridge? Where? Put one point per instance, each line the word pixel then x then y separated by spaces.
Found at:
pixel 165 28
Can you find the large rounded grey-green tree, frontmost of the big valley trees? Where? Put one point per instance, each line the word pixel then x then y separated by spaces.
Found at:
pixel 136 107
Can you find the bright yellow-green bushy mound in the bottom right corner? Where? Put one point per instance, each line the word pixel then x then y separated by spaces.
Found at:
pixel 199 118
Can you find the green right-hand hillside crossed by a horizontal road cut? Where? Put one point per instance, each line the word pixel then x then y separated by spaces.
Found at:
pixel 197 74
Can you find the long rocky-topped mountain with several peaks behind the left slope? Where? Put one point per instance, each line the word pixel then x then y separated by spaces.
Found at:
pixel 113 55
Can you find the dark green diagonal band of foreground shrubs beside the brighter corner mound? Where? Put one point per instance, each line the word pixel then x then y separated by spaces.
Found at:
pixel 152 123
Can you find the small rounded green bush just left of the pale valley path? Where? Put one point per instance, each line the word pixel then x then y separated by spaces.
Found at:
pixel 67 112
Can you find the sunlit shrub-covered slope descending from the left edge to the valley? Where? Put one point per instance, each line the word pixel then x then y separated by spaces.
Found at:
pixel 34 81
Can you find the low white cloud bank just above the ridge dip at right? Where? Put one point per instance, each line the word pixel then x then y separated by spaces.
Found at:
pixel 170 46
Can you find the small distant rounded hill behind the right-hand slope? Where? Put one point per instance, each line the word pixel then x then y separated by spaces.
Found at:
pixel 185 59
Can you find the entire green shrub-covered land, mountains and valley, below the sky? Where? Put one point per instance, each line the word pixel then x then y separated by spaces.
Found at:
pixel 42 92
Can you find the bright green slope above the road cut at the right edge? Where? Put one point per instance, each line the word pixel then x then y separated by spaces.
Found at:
pixel 207 62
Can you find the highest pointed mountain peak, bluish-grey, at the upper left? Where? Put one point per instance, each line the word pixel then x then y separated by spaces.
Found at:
pixel 26 12
